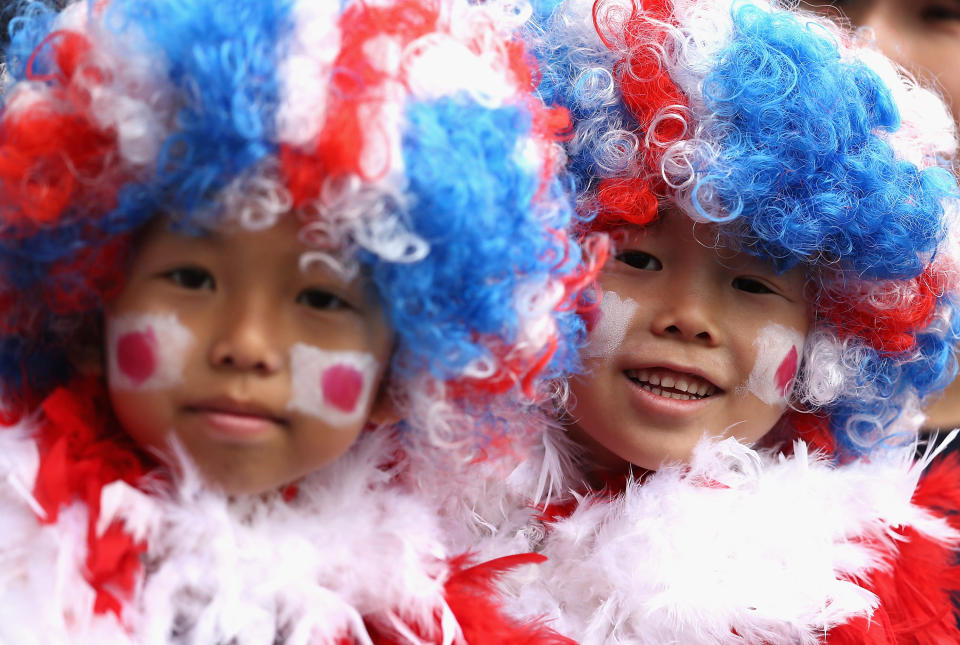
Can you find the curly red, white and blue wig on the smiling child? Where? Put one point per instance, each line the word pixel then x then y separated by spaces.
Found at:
pixel 810 148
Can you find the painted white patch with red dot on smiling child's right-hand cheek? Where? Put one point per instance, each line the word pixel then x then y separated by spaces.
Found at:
pixel 778 358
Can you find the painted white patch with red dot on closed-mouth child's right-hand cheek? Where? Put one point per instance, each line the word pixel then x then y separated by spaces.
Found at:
pixel 332 386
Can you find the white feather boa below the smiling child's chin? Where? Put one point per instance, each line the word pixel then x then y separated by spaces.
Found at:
pixel 741 547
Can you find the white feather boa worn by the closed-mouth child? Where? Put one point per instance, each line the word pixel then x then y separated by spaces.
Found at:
pixel 352 545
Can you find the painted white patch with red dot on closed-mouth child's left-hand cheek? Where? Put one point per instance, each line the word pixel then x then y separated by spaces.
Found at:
pixel 146 351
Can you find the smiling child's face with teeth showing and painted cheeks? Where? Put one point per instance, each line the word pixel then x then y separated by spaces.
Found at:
pixel 692 340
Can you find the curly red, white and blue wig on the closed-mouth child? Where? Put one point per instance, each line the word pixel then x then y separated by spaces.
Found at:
pixel 404 134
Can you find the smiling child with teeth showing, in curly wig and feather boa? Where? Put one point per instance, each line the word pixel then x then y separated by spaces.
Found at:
pixel 779 299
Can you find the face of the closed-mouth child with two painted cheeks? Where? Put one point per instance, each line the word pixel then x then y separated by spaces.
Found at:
pixel 263 370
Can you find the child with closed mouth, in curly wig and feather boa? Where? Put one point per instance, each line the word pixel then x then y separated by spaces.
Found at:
pixel 231 235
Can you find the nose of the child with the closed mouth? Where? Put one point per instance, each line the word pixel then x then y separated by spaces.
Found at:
pixel 245 340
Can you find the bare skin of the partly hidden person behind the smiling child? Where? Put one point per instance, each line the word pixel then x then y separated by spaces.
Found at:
pixel 924 37
